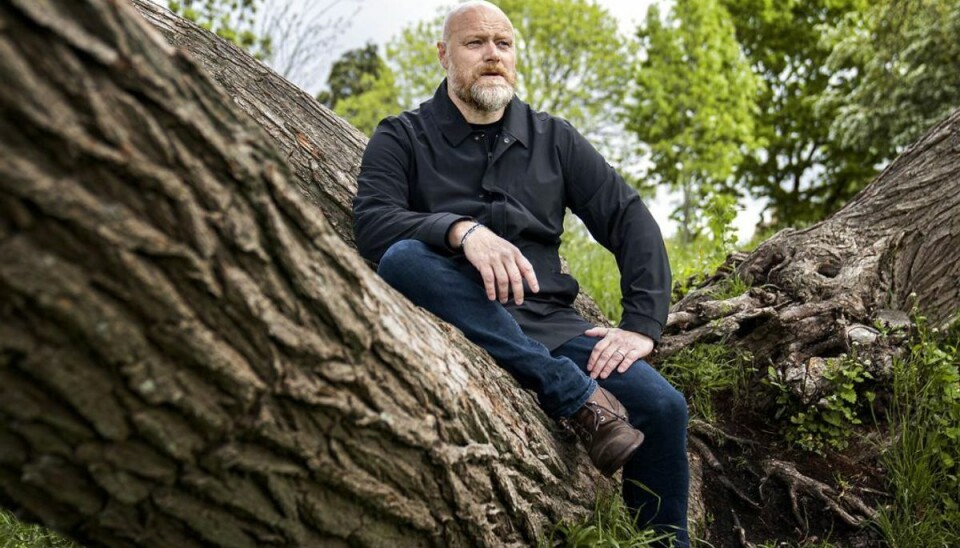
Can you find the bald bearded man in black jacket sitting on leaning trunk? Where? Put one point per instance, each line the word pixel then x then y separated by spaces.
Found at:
pixel 461 203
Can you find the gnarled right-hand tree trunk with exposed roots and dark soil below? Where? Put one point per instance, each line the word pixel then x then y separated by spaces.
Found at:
pixel 816 295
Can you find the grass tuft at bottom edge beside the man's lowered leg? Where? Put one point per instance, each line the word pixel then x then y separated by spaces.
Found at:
pixel 610 526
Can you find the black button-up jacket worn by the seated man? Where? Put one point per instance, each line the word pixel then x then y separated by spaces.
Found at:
pixel 426 169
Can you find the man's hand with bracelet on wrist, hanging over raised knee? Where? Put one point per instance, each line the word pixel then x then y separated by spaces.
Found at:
pixel 500 263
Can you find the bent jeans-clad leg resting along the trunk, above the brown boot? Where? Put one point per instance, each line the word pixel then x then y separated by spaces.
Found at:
pixel 453 290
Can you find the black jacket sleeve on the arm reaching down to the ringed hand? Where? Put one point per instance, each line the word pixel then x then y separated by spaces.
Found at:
pixel 618 220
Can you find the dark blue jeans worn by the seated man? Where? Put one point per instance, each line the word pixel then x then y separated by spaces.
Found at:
pixel 657 477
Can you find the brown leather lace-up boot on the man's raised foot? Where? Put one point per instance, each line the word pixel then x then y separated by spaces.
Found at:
pixel 602 426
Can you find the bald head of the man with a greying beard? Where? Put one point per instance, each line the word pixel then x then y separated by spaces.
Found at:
pixel 477 51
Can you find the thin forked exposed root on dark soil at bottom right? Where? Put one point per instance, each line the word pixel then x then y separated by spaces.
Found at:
pixel 848 507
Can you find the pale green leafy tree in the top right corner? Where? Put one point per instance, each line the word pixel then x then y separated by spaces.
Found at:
pixel 910 77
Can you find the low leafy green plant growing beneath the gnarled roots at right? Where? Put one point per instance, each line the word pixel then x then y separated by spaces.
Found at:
pixel 829 423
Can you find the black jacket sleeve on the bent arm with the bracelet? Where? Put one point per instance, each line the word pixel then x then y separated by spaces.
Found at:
pixel 381 209
